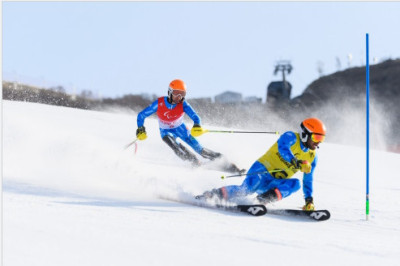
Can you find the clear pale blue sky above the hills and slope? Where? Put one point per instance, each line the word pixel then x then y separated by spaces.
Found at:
pixel 118 48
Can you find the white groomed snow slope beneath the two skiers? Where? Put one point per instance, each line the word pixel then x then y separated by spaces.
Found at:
pixel 73 196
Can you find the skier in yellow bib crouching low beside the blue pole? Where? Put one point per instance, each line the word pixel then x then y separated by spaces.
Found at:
pixel 270 176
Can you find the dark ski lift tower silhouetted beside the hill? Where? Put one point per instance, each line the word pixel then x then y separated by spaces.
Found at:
pixel 278 92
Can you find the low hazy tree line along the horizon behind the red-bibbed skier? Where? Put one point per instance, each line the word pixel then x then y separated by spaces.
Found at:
pixel 229 115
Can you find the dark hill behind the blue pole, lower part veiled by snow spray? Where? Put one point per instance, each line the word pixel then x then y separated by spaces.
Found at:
pixel 340 98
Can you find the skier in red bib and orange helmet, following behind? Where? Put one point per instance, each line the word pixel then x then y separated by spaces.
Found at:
pixel 170 111
